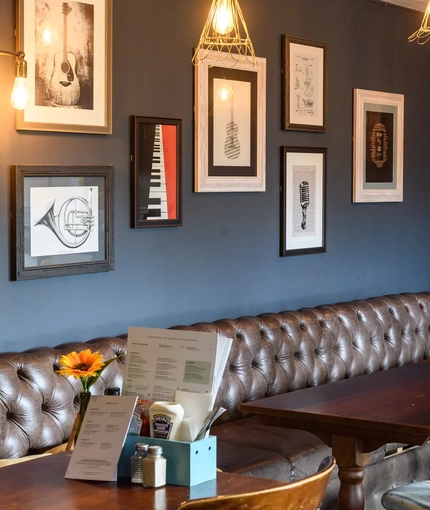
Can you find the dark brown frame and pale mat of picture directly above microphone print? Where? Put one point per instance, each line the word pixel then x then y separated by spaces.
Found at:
pixel 288 121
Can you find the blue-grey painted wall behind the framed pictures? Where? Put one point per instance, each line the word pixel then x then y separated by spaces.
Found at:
pixel 224 260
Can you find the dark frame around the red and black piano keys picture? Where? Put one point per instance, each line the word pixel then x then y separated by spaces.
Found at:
pixel 140 155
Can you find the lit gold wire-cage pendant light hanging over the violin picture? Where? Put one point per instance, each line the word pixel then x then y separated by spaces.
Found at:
pixel 225 29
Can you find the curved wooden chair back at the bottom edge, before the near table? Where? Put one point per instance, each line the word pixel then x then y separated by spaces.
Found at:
pixel 305 494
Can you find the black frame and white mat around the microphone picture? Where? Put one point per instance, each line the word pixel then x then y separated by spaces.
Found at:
pixel 287 201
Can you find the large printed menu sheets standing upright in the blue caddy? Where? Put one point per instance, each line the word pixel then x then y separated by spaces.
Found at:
pixel 163 361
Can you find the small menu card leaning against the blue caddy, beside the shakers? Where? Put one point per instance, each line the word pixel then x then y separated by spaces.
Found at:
pixel 101 438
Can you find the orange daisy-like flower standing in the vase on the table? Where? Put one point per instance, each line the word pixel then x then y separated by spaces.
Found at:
pixel 85 365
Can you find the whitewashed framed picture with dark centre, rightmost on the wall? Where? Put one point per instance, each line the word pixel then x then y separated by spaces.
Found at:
pixel 378 146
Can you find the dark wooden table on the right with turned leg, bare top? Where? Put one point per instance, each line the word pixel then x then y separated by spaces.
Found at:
pixel 356 416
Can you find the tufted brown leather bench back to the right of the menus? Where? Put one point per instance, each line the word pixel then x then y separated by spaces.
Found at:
pixel 279 352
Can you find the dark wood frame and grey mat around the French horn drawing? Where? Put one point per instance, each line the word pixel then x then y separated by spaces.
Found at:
pixel 26 177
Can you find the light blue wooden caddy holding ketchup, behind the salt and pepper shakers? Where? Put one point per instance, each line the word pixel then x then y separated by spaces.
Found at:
pixel 188 464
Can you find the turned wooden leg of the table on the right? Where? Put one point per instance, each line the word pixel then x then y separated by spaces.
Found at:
pixel 351 461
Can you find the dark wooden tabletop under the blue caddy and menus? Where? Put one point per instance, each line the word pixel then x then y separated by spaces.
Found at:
pixel 40 484
